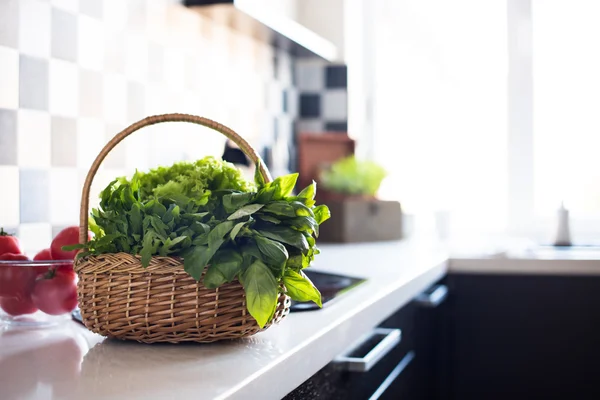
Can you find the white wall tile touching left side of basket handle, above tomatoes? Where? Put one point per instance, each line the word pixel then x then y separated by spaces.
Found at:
pixel 64 203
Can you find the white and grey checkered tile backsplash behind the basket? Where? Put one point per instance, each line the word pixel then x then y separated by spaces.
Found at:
pixel 73 73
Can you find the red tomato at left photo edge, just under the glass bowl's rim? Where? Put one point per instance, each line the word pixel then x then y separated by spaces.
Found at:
pixel 16 280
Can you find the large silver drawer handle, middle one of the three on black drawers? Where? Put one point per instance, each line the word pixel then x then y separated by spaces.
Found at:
pixel 382 348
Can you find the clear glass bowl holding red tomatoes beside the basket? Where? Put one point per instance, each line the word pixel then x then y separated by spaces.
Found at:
pixel 37 293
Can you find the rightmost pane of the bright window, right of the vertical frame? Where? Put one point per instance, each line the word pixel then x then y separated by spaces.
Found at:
pixel 566 98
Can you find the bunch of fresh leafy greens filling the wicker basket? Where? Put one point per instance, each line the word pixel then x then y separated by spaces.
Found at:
pixel 222 226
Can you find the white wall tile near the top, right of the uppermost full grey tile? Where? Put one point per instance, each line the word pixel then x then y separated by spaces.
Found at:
pixel 90 43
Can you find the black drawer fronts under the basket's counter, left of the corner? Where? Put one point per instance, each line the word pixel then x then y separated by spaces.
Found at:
pixel 408 371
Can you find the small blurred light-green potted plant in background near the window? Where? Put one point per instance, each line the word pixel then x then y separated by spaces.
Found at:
pixel 352 176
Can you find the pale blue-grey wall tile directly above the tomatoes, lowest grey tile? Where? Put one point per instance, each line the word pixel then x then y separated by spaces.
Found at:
pixel 34 195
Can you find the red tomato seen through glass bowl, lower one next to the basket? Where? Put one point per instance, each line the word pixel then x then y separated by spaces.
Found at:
pixel 55 295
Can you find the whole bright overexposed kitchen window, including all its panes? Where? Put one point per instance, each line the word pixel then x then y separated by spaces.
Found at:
pixel 488 109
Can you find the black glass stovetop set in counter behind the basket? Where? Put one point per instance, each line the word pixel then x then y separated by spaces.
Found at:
pixel 331 287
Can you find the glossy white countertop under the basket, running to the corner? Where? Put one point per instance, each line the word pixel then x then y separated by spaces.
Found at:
pixel 69 362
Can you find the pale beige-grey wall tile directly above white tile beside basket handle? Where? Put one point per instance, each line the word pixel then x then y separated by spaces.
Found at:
pixel 63 142
